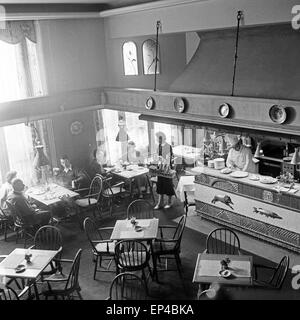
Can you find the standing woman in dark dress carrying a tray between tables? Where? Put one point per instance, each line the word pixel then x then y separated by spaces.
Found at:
pixel 164 186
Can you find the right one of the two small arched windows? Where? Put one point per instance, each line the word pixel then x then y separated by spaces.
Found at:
pixel 149 55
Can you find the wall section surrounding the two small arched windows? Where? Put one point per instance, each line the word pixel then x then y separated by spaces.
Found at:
pixel 173 61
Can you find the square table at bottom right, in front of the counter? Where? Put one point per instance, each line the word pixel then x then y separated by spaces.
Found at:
pixel 208 270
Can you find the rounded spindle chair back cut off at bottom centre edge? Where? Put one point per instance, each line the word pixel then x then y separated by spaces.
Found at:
pixel 127 286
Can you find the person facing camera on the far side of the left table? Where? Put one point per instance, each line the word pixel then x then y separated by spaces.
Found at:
pixel 72 178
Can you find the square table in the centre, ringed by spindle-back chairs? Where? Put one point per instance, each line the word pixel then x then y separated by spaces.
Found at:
pixel 148 231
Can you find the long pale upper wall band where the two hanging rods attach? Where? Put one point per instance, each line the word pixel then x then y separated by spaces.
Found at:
pixel 200 15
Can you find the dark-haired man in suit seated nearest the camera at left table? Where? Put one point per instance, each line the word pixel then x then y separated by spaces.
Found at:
pixel 29 213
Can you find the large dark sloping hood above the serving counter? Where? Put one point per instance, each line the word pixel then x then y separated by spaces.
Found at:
pixel 266 65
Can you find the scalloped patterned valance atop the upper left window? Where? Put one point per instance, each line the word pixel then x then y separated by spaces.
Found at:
pixel 16 32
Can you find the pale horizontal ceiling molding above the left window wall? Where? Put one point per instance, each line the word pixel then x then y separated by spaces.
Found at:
pixel 49 16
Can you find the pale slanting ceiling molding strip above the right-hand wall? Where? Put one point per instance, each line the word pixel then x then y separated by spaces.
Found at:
pixel 146 6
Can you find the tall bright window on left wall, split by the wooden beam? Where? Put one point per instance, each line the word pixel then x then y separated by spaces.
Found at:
pixel 19 78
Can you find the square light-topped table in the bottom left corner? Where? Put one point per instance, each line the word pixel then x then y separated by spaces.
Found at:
pixel 39 261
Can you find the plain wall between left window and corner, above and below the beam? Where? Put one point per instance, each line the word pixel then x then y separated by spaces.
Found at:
pixel 74 58
